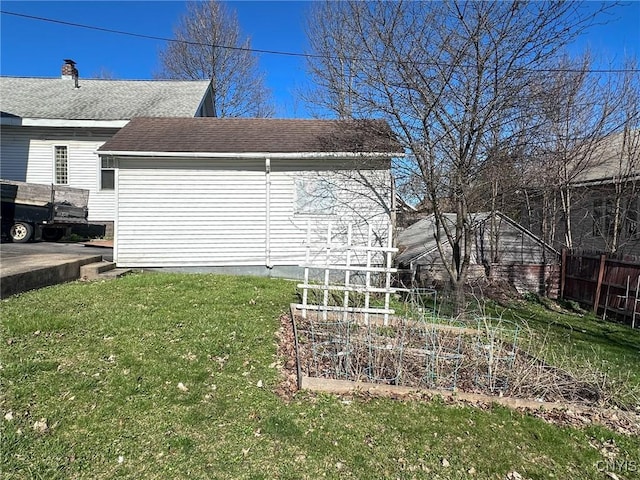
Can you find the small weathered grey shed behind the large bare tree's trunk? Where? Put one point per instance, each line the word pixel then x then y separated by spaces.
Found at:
pixel 502 249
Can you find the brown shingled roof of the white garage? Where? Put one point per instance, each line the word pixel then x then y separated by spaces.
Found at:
pixel 252 135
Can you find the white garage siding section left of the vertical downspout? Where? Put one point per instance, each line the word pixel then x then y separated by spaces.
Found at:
pixel 191 214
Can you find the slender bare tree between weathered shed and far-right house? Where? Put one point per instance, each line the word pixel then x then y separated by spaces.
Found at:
pixel 574 109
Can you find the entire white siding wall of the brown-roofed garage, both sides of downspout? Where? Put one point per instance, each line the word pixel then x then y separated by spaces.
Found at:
pixel 212 212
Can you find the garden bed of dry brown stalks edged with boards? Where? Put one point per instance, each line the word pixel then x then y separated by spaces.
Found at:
pixel 480 356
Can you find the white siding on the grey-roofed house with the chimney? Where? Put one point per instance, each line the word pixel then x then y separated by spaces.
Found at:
pixel 28 154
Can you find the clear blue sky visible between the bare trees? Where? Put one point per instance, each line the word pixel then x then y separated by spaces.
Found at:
pixel 31 48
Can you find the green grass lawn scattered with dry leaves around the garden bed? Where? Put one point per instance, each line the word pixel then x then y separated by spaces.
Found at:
pixel 101 362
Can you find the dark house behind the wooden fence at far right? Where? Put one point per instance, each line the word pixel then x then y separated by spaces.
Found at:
pixel 604 200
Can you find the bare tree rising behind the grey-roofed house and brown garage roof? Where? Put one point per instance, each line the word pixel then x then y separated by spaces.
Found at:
pixel 208 45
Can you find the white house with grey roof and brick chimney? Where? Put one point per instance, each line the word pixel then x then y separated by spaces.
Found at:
pixel 52 127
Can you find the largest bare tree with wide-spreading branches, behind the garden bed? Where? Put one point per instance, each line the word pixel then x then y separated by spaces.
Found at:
pixel 447 76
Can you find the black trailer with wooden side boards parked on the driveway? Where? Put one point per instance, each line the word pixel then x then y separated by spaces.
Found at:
pixel 32 211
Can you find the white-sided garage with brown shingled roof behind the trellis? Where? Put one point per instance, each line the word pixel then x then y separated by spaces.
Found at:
pixel 245 194
